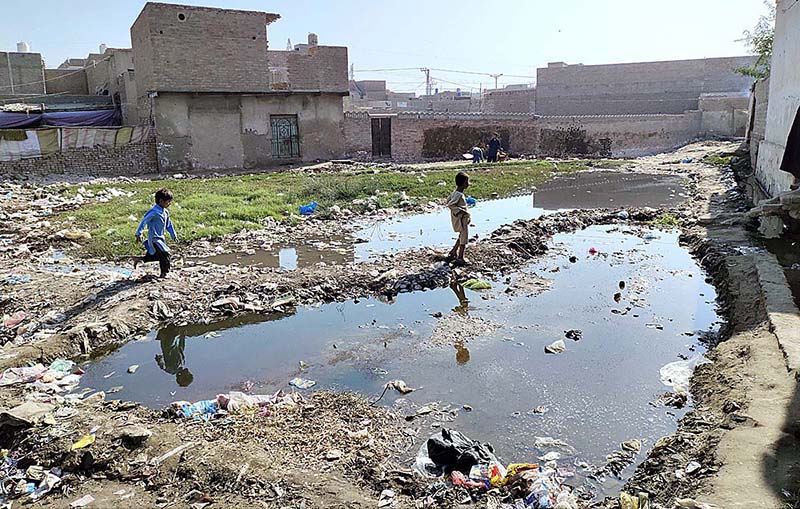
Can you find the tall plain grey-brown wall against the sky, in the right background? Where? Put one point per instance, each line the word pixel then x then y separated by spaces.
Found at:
pixel 636 88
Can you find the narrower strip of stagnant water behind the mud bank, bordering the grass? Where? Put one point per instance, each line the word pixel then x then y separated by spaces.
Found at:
pixel 432 229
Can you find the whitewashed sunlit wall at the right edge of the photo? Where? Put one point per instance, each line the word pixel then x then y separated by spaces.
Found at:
pixel 784 98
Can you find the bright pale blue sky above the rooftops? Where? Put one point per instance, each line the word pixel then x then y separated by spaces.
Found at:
pixel 511 36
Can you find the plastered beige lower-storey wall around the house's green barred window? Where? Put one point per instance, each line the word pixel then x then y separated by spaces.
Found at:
pixel 224 131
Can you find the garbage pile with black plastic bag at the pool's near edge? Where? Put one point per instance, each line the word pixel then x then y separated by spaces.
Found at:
pixel 465 463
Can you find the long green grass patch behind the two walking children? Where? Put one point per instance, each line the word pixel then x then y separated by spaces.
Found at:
pixel 213 207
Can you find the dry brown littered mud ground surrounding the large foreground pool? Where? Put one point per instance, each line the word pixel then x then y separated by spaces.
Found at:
pixel 334 450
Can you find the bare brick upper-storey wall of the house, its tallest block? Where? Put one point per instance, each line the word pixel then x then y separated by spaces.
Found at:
pixel 198 49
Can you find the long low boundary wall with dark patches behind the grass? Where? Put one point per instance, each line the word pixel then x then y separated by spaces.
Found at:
pixel 415 135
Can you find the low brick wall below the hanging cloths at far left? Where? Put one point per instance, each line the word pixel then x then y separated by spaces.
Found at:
pixel 125 160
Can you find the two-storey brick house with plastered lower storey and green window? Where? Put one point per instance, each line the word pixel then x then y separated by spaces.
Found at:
pixel 219 99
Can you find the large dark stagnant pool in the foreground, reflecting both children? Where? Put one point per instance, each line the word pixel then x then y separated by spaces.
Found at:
pixel 597 393
